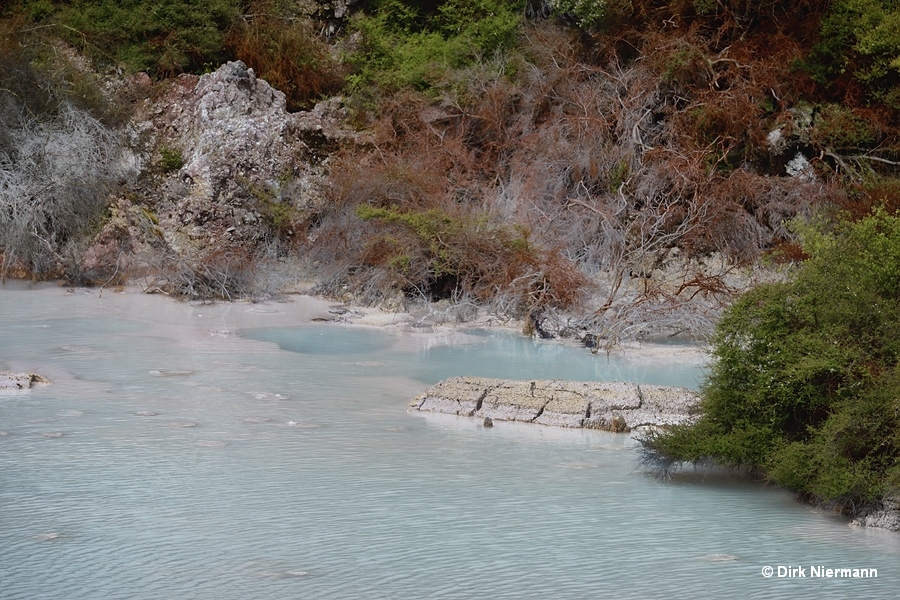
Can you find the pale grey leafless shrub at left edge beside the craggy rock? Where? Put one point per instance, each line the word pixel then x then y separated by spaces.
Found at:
pixel 56 172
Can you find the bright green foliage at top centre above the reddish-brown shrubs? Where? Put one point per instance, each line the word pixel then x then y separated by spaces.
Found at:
pixel 405 45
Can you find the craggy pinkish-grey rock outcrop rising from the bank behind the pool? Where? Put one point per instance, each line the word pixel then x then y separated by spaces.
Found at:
pixel 229 175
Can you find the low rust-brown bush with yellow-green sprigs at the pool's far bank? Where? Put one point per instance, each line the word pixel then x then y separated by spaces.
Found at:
pixel 405 217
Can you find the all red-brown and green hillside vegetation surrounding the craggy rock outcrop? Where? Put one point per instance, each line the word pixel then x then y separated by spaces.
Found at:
pixel 632 157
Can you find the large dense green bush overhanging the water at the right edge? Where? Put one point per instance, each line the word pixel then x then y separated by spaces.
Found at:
pixel 806 374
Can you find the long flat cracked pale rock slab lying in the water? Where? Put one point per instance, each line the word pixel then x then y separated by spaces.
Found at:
pixel 611 406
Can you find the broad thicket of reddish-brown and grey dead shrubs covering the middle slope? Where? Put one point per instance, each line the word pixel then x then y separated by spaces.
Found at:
pixel 611 166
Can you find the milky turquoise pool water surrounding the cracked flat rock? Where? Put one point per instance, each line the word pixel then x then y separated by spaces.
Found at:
pixel 230 452
